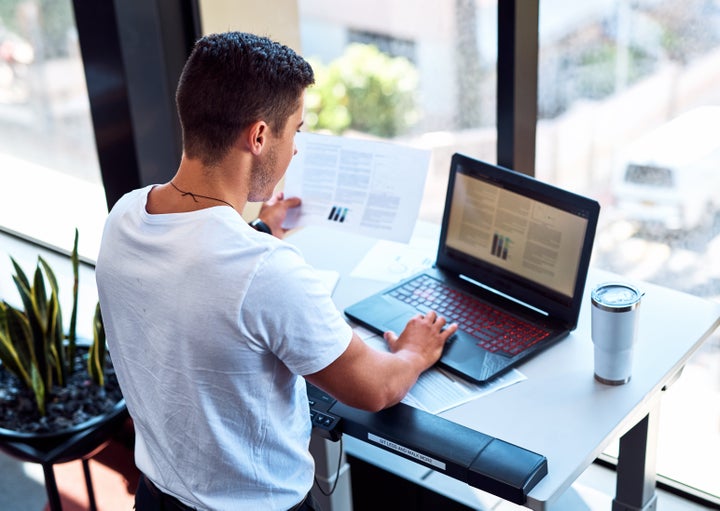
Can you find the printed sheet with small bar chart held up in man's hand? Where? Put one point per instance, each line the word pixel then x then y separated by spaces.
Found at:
pixel 356 185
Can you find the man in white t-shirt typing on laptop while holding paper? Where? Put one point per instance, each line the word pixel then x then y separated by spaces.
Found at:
pixel 211 323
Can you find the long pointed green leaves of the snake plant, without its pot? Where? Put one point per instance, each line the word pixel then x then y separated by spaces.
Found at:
pixel 33 345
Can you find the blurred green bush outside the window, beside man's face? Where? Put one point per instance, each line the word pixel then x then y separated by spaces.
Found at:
pixel 364 90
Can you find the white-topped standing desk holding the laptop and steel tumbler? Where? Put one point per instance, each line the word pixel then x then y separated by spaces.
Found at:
pixel 560 411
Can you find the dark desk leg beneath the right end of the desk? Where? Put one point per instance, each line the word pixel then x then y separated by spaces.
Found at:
pixel 636 476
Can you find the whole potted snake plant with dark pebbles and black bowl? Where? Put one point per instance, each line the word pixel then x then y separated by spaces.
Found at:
pixel 53 385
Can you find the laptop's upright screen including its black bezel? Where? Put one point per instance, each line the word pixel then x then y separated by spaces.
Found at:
pixel 517 235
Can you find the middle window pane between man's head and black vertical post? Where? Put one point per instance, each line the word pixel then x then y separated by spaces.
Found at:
pixel 449 49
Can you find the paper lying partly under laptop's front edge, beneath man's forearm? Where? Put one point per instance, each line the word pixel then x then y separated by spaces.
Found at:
pixel 436 390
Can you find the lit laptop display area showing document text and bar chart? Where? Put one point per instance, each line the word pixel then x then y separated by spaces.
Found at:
pixel 518 234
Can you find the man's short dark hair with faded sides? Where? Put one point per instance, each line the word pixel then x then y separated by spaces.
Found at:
pixel 231 80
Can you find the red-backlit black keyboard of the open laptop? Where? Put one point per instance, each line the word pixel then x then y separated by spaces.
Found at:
pixel 495 330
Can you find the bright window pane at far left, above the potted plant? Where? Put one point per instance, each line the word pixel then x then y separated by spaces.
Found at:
pixel 49 172
